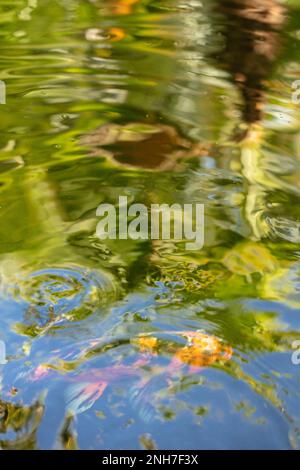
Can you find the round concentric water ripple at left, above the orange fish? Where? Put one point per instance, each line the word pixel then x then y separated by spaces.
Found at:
pixel 58 295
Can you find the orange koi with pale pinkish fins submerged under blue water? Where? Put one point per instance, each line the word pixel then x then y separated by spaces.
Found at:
pixel 199 350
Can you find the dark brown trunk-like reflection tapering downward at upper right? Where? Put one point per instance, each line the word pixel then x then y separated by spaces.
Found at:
pixel 253 43
